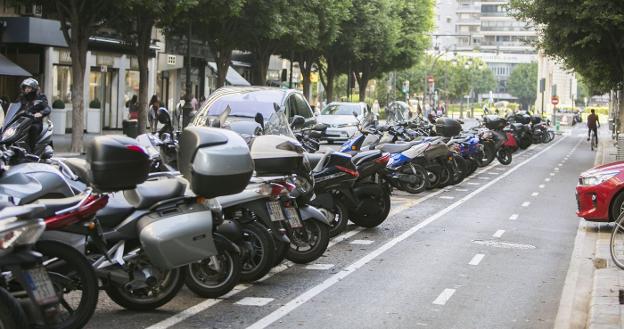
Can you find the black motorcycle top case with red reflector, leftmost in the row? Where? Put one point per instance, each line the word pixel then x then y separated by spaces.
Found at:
pixel 116 163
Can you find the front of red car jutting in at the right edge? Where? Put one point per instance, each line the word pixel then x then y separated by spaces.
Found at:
pixel 598 193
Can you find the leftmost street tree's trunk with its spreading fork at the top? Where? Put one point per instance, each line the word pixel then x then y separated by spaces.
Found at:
pixel 79 20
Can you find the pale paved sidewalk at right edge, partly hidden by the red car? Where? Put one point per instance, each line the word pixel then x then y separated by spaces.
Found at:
pixel 591 294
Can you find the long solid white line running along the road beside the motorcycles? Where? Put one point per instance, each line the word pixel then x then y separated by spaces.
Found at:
pixel 335 278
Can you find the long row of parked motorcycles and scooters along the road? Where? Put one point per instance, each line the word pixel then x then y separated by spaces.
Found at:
pixel 204 208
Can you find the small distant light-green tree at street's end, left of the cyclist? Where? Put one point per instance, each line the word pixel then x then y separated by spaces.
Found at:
pixel 523 83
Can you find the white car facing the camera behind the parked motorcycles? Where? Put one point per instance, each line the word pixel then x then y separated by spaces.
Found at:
pixel 342 119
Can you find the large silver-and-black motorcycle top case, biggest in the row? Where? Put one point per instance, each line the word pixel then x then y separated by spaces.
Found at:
pixel 215 161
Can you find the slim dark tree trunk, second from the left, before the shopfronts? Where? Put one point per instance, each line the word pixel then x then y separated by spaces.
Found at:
pixel 145 25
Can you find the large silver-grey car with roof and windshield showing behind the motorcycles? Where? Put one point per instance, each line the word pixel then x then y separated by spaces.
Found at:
pixel 246 103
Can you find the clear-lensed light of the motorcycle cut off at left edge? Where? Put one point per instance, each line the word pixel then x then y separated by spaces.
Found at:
pixel 14 232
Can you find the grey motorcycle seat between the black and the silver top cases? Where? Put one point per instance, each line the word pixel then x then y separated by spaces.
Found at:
pixel 151 192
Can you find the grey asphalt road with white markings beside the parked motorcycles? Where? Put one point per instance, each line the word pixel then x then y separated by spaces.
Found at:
pixel 491 252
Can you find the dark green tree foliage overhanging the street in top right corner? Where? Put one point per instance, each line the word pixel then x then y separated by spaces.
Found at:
pixel 587 34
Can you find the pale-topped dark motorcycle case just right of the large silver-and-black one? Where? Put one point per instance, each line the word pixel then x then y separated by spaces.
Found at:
pixel 278 155
